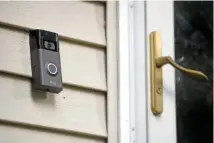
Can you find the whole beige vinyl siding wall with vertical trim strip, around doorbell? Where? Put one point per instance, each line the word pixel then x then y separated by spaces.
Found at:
pixel 86 110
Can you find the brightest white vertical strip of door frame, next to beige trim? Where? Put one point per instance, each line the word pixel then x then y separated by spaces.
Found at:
pixel 123 64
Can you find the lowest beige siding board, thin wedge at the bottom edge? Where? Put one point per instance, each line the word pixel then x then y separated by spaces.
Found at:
pixel 10 134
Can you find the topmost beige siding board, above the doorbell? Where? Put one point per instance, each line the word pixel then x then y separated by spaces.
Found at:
pixel 82 21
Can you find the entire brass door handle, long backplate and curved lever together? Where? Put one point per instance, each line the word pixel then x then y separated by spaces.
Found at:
pixel 156 77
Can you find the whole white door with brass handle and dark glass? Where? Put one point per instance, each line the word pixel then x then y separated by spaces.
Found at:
pixel 182 30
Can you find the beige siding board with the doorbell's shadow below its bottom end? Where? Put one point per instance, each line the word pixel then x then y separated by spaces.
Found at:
pixel 71 110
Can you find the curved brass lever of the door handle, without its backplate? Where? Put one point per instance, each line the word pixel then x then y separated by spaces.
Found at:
pixel 197 75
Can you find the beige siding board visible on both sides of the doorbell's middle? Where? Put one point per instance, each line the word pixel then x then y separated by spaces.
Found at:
pixel 80 64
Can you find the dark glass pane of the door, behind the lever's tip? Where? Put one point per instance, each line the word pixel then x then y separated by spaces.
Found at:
pixel 193 24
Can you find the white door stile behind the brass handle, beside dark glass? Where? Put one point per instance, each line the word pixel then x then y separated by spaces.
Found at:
pixel 160 17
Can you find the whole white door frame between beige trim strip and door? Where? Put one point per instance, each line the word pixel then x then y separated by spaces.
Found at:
pixel 132 72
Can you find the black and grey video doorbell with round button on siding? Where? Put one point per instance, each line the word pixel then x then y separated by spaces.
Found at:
pixel 45 61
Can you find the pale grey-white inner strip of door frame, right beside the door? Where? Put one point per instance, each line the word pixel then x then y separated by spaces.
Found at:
pixel 140 57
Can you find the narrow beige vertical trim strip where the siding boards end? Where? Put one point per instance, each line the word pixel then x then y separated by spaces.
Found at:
pixel 112 78
